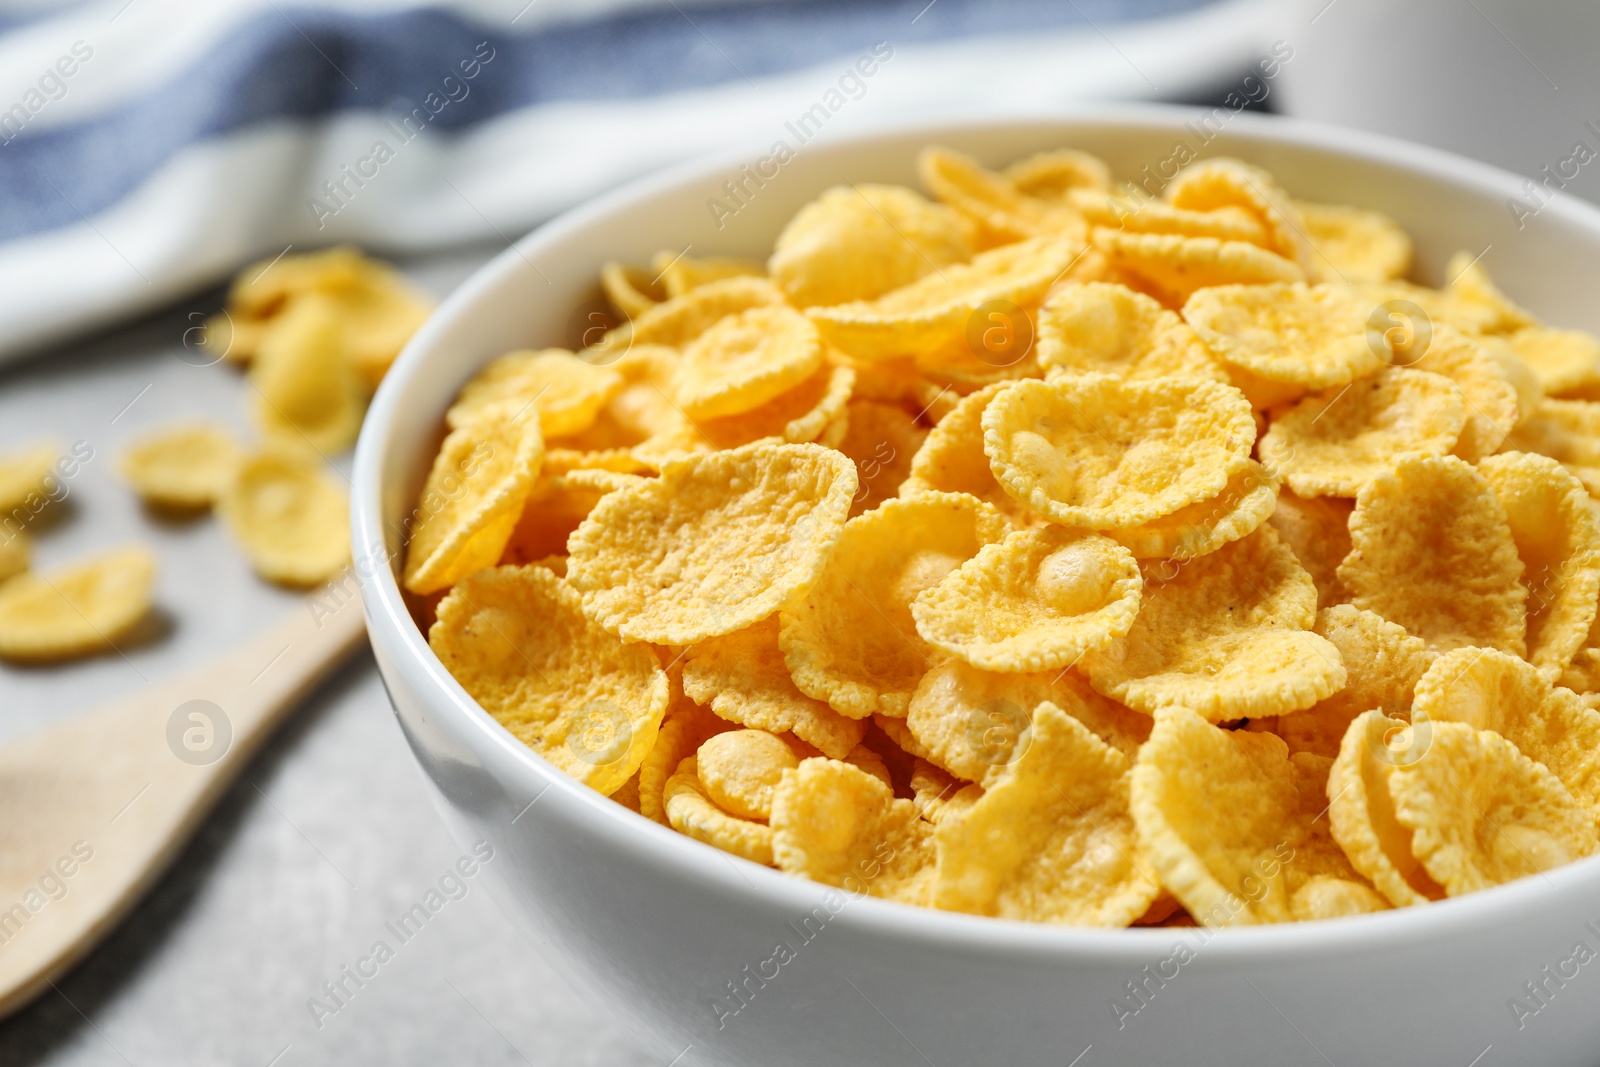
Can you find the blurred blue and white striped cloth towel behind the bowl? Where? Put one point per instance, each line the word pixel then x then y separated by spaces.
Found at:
pixel 151 146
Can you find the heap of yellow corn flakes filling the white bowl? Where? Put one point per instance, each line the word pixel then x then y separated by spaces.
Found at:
pixel 1050 551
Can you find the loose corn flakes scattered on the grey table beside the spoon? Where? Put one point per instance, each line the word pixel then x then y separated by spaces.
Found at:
pixel 318 334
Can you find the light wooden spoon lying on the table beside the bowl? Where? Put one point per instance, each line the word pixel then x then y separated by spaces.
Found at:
pixel 92 812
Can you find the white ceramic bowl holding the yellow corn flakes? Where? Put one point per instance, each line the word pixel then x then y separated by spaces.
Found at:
pixel 714 961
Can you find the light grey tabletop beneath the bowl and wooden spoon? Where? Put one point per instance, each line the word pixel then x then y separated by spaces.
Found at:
pixel 327 836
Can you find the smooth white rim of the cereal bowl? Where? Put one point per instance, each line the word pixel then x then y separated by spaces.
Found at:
pixel 391 625
